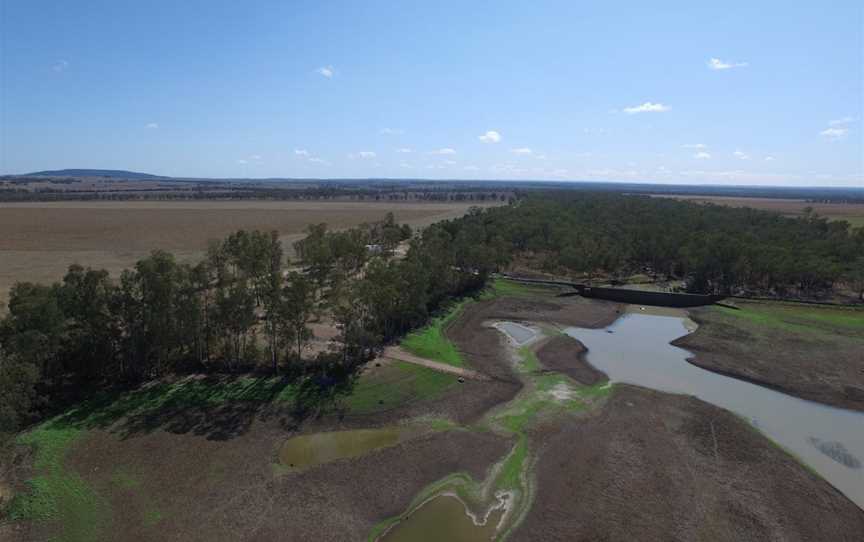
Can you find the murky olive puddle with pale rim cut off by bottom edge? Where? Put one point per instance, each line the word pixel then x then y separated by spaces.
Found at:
pixel 445 517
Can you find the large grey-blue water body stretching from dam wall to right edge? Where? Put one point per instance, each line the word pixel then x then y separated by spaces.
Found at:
pixel 636 350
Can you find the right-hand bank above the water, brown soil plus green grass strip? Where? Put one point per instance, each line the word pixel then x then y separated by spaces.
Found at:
pixel 810 352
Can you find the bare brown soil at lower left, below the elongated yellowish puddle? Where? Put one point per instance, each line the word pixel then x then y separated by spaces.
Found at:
pixel 231 490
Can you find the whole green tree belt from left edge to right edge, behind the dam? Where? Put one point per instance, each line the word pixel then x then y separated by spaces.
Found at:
pixel 243 307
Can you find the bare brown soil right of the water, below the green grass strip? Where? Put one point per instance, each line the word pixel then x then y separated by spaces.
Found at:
pixel 825 368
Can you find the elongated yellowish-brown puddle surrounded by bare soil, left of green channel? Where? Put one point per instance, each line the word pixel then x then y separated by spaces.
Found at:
pixel 308 450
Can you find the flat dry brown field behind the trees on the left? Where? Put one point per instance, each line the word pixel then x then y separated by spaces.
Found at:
pixel 40 240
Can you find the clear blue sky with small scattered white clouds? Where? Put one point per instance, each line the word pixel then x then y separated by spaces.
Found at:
pixel 452 90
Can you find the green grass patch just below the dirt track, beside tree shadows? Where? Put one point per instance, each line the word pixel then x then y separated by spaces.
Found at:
pixel 396 384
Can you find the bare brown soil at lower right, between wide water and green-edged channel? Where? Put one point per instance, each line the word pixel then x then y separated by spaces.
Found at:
pixel 655 466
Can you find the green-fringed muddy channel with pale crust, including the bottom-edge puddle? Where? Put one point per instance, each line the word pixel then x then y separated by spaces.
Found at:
pixel 442 511
